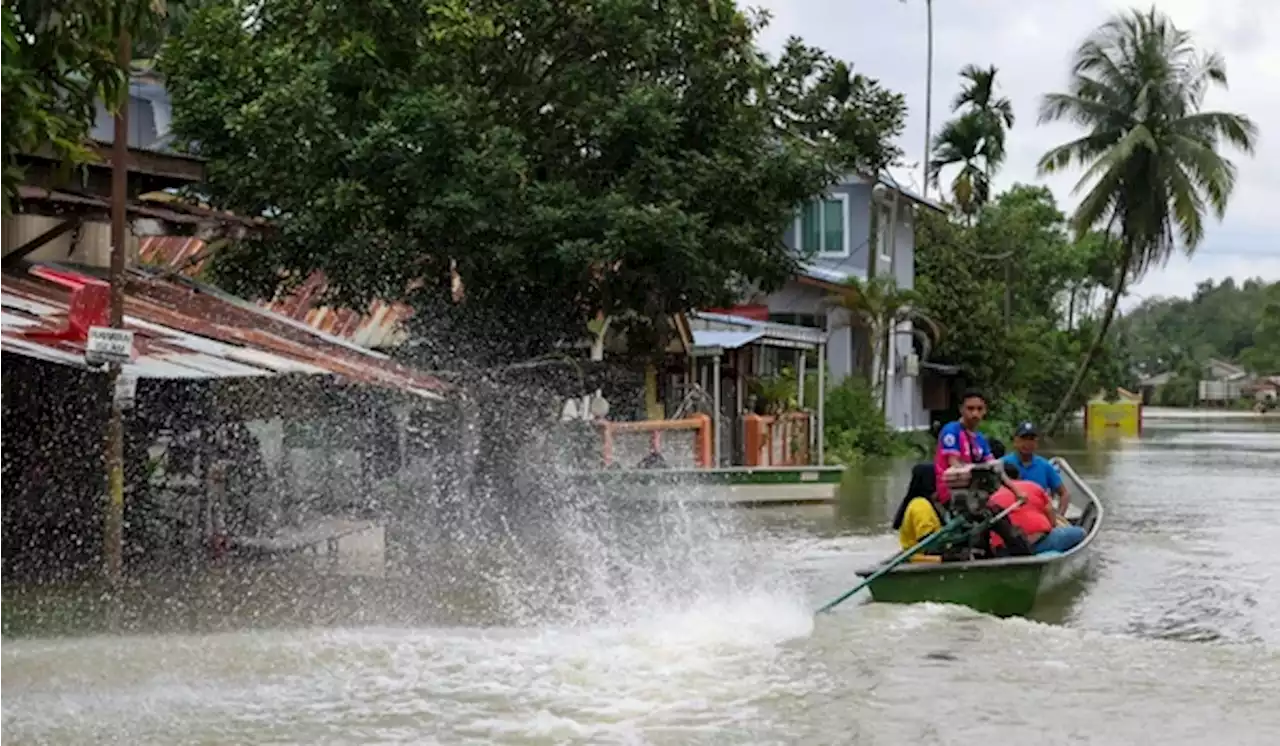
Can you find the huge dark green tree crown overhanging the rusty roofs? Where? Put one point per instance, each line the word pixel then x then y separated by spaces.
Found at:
pixel 560 158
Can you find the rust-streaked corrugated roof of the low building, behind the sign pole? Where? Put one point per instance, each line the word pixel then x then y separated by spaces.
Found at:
pixel 189 331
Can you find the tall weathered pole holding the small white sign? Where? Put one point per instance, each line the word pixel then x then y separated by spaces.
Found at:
pixel 113 538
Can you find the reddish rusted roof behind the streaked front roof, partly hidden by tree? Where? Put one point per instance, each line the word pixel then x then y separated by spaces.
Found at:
pixel 382 327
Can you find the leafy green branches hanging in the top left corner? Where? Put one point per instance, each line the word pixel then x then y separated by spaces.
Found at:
pixel 58 60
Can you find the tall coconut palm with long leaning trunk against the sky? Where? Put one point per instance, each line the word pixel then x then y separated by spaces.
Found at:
pixel 1150 150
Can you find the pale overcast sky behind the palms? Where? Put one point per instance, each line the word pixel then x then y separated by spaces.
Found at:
pixel 1032 42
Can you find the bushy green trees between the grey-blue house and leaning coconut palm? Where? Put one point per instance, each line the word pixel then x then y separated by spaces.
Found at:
pixel 1007 292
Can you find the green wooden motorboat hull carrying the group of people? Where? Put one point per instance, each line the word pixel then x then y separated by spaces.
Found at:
pixel 1007 587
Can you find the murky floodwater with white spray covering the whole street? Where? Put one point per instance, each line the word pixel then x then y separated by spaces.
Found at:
pixel 696 628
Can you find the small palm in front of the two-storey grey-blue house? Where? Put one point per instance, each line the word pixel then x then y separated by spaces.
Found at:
pixel 883 310
